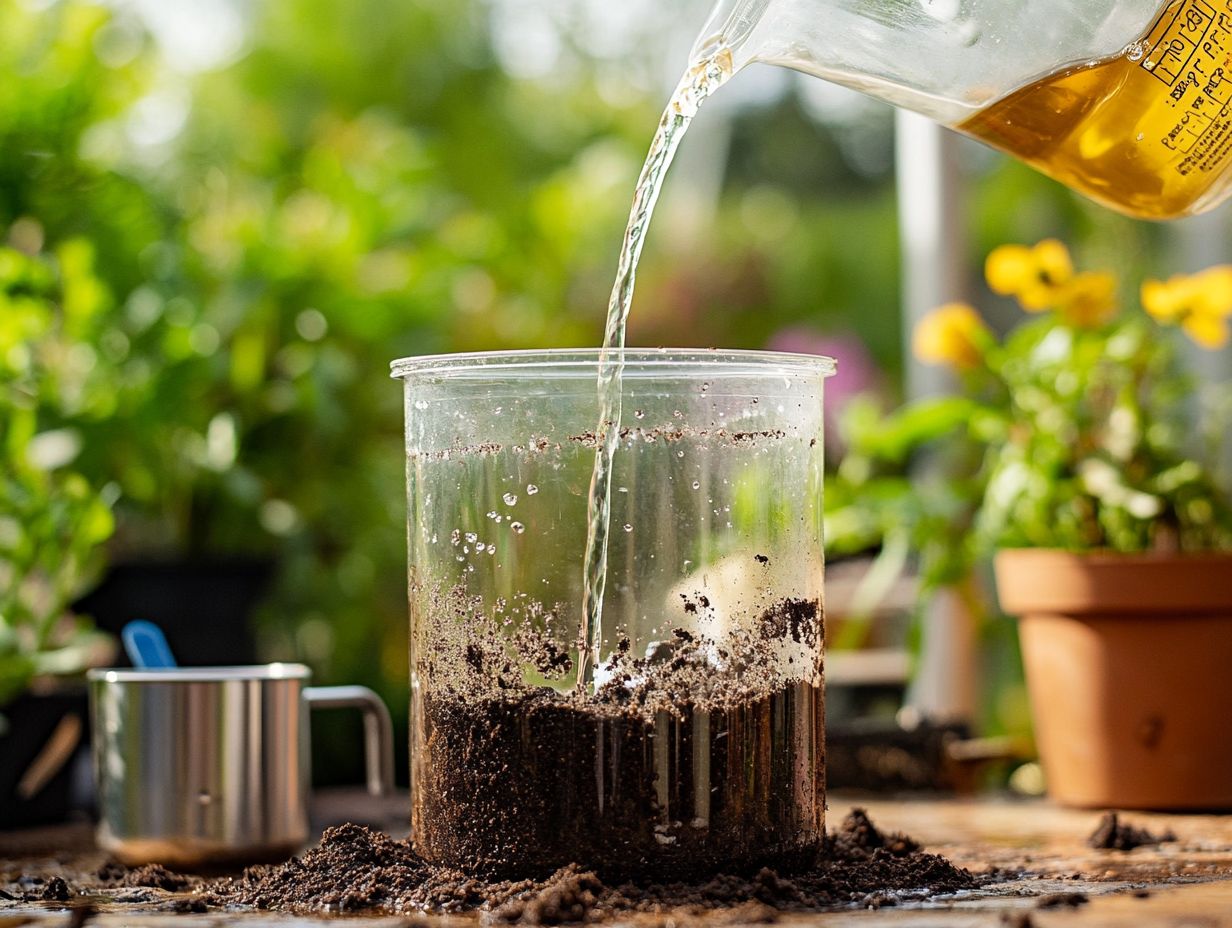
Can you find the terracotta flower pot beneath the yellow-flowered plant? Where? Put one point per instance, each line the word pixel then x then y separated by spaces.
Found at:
pixel 1129 666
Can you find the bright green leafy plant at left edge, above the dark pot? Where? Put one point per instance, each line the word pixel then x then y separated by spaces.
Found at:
pixel 52 521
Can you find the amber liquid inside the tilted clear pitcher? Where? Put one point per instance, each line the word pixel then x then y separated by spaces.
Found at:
pixel 1149 132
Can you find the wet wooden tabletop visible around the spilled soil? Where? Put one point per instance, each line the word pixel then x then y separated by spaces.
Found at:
pixel 1187 884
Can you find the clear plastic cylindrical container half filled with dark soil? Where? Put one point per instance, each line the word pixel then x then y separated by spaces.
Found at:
pixel 692 741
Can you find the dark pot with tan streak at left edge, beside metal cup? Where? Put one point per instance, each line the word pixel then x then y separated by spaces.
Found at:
pixel 41 750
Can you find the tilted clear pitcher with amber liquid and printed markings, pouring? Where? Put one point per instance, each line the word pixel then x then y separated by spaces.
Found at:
pixel 1128 102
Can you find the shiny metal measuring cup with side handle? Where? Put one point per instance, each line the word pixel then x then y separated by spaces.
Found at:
pixel 209 766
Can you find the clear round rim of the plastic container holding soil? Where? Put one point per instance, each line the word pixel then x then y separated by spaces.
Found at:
pixel 639 362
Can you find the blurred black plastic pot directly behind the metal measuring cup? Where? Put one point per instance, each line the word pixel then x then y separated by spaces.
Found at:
pixel 204 607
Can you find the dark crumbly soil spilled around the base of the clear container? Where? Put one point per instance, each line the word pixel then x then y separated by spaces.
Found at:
pixel 355 871
